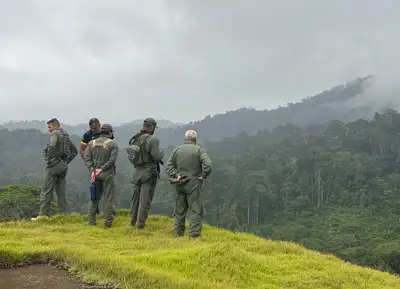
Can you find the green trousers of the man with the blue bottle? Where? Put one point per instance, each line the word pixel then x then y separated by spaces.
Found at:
pixel 106 191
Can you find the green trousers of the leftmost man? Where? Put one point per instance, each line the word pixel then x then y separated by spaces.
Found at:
pixel 54 180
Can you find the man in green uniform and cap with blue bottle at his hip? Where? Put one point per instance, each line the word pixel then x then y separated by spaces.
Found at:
pixel 100 157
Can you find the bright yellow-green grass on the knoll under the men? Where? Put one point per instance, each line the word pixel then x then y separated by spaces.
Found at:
pixel 153 258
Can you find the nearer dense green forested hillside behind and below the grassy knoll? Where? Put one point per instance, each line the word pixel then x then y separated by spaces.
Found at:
pixel 333 188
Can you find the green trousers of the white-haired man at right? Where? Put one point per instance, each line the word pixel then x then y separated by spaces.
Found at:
pixel 188 202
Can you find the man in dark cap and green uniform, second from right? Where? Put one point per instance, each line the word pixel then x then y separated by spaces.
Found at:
pixel 145 155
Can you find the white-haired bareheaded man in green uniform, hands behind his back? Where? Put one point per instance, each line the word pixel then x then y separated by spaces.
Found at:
pixel 188 166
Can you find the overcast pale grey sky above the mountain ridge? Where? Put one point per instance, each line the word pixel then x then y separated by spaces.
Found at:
pixel 184 59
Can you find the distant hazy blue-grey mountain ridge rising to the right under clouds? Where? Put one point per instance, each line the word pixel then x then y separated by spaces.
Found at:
pixel 321 108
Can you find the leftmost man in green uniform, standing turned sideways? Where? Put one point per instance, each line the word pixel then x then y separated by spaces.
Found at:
pixel 60 151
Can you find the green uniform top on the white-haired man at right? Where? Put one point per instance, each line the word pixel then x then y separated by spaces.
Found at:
pixel 188 160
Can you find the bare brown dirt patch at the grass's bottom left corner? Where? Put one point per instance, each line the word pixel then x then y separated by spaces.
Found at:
pixel 37 277
